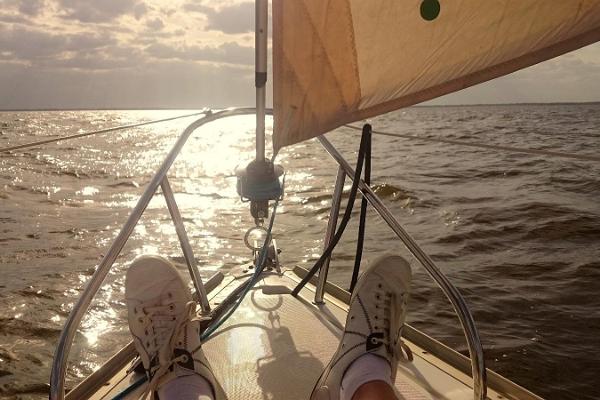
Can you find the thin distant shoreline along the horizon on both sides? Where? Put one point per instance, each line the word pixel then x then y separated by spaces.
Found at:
pixel 217 108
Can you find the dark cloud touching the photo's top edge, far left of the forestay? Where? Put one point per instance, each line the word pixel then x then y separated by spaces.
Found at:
pixel 101 11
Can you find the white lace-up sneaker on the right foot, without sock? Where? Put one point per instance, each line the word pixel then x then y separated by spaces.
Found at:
pixel 373 325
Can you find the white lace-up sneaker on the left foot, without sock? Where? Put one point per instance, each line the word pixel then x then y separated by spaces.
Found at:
pixel 162 320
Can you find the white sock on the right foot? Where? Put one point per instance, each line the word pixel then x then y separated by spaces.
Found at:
pixel 366 368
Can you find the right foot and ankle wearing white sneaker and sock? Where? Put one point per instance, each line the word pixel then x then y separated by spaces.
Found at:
pixel 364 365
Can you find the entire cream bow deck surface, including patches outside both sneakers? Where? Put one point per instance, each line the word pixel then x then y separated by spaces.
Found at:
pixel 275 346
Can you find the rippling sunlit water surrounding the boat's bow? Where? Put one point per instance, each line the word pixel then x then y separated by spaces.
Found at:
pixel 518 234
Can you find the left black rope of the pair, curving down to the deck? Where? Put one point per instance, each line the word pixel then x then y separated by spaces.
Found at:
pixel 347 214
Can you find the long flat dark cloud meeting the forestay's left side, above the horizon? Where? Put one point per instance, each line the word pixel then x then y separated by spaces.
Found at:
pixel 231 53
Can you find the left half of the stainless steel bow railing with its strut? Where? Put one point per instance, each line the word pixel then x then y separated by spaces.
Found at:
pixel 59 364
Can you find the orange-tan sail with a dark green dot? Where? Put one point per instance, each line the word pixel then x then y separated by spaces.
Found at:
pixel 338 61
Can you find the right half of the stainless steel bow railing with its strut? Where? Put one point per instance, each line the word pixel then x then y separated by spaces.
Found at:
pixel 449 290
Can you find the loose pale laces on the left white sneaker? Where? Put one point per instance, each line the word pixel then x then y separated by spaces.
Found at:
pixel 164 338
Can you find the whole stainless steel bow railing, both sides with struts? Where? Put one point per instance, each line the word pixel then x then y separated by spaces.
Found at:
pixel 59 365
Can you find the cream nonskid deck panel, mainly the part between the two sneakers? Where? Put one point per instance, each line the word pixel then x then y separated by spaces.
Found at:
pixel 276 346
